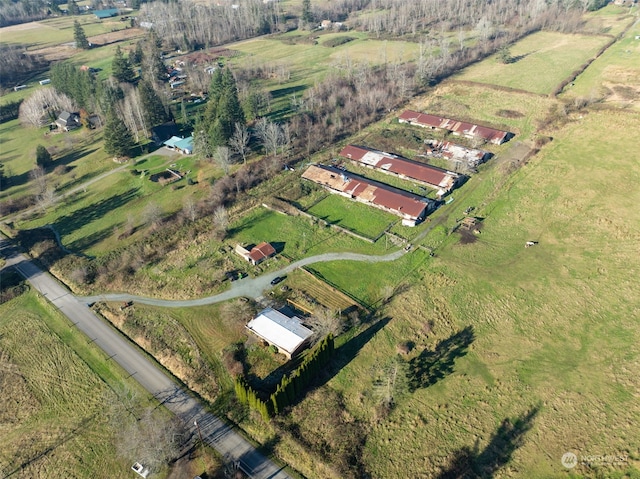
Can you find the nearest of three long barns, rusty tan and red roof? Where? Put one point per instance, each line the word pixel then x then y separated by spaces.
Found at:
pixel 411 208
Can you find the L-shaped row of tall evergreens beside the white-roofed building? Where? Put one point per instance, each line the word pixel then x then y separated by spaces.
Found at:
pixel 291 386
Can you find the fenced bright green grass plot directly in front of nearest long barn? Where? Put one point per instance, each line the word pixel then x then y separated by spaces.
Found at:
pixel 357 217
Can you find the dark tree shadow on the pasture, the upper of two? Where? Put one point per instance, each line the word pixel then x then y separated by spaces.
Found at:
pixel 429 367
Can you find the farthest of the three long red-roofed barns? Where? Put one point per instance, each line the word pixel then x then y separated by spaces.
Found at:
pixel 457 127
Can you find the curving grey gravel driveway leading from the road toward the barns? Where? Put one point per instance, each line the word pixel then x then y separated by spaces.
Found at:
pixel 248 287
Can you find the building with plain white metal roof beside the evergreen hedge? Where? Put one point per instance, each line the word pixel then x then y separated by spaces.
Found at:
pixel 288 334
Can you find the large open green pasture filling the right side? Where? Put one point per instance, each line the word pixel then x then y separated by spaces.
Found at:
pixel 552 364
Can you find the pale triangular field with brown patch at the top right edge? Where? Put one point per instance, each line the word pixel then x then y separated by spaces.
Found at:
pixel 614 77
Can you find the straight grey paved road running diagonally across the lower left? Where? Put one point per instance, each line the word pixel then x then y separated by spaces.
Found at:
pixel 214 431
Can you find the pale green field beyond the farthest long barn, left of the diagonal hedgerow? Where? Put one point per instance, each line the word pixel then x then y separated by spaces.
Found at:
pixel 542 61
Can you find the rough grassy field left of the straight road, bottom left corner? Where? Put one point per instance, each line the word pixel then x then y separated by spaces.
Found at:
pixel 53 407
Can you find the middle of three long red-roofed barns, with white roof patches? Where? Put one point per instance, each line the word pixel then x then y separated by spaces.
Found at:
pixel 442 180
